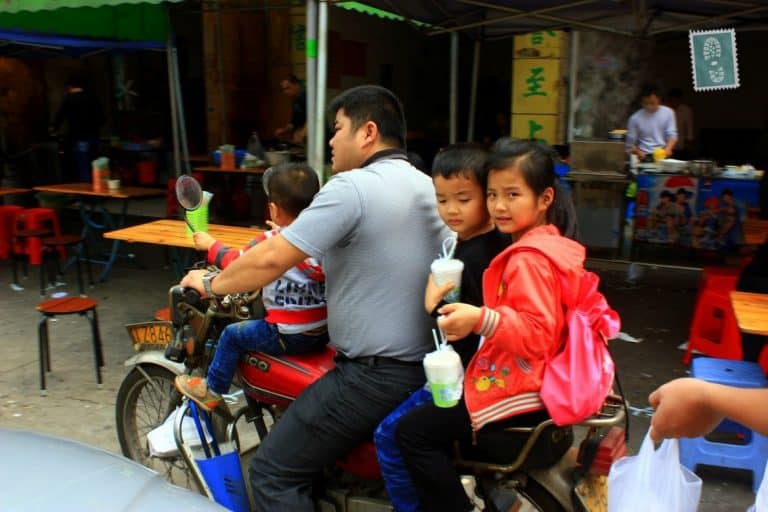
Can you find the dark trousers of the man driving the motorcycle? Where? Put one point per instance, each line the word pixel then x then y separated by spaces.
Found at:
pixel 328 420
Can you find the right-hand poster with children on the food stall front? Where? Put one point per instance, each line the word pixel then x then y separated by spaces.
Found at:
pixel 722 207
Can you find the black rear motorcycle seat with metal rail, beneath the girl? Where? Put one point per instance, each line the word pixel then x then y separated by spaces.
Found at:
pixel 526 442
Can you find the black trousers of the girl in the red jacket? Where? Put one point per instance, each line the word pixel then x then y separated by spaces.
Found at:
pixel 426 435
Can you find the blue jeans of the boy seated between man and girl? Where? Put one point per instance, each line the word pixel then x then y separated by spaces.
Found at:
pixel 397 479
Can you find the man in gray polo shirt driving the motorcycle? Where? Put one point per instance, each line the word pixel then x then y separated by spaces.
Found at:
pixel 376 230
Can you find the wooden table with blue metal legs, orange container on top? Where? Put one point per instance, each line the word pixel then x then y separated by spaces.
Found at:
pixel 92 206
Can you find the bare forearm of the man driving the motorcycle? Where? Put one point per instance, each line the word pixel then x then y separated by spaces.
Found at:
pixel 258 267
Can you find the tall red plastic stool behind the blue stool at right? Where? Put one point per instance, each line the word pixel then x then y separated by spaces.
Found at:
pixel 714 330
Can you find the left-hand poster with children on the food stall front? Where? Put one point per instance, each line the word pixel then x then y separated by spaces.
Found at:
pixel 665 209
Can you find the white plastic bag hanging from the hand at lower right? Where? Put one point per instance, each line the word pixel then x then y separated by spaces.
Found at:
pixel 653 481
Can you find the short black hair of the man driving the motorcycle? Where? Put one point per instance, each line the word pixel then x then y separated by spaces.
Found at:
pixel 373 103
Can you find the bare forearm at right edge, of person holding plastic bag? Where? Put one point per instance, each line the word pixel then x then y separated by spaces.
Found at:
pixel 742 405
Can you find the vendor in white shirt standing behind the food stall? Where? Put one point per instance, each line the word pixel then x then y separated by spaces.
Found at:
pixel 651 127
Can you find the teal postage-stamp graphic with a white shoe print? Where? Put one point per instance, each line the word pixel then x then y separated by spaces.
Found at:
pixel 713 57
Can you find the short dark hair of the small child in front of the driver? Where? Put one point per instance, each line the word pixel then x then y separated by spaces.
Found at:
pixel 291 186
